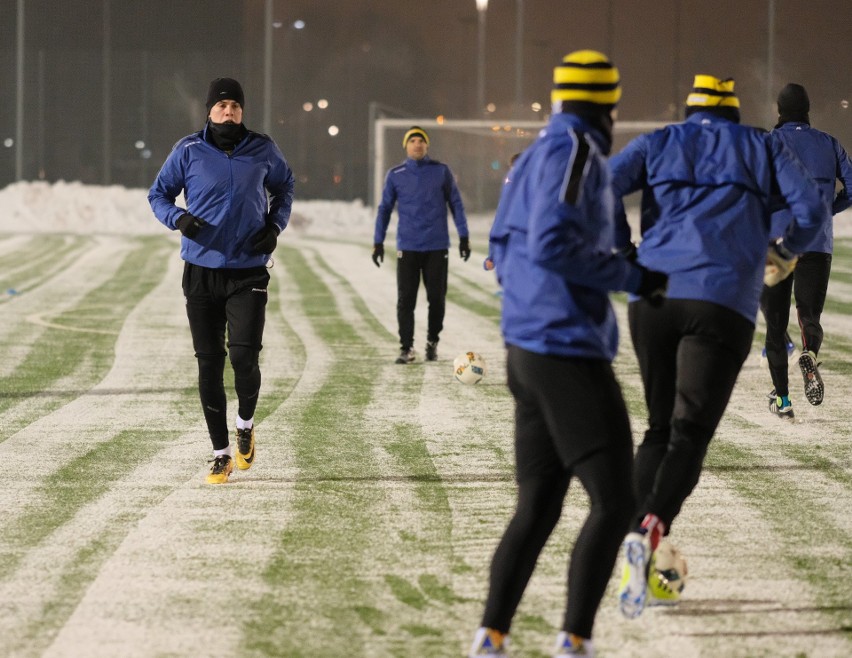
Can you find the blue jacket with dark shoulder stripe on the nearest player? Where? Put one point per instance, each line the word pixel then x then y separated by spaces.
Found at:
pixel 552 241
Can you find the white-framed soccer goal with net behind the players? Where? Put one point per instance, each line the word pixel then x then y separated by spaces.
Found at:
pixel 477 151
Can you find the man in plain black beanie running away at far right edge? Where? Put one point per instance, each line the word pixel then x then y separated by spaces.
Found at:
pixel 827 162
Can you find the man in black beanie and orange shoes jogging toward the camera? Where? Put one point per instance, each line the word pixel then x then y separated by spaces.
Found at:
pixel 238 191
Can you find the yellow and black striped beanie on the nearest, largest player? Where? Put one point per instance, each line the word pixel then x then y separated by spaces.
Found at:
pixel 586 76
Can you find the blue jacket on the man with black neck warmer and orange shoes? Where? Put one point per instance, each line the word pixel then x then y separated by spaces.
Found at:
pixel 235 194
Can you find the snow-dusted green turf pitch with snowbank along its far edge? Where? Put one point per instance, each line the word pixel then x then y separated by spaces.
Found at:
pixel 367 524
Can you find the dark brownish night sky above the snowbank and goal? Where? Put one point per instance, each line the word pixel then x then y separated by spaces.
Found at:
pixel 418 56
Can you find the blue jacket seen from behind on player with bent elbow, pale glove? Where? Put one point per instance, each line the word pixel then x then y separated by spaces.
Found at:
pixel 706 186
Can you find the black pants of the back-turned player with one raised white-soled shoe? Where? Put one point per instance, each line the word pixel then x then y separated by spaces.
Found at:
pixel 690 354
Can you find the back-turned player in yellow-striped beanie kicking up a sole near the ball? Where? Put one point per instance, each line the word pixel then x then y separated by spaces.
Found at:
pixel 705 215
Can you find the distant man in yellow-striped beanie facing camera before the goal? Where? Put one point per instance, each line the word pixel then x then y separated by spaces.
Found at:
pixel 421 189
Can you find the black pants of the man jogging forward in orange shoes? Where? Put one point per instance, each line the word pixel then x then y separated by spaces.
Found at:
pixel 218 300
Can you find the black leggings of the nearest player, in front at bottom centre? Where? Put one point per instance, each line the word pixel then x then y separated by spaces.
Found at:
pixel 570 421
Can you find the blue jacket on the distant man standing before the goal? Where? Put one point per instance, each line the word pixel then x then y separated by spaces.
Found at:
pixel 422 190
